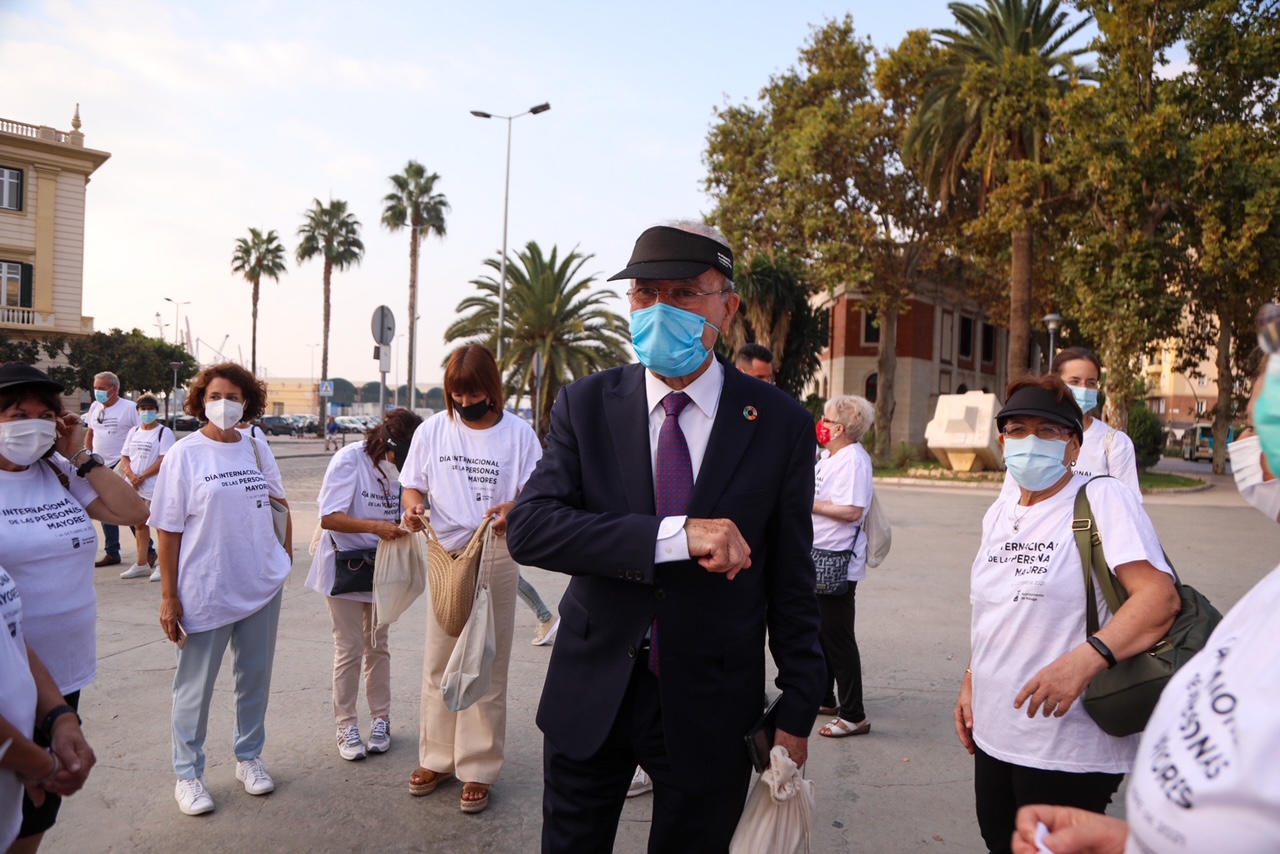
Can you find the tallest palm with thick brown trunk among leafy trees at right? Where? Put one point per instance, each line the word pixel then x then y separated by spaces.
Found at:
pixel 988 111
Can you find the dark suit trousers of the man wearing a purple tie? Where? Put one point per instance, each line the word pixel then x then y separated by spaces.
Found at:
pixel 583 801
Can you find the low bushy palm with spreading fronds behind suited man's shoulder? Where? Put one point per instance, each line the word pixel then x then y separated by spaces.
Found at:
pixel 552 316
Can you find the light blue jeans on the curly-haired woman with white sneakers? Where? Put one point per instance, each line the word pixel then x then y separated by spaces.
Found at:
pixel 253 641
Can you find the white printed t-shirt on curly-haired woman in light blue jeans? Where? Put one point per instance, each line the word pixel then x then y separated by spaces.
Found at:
pixel 213 494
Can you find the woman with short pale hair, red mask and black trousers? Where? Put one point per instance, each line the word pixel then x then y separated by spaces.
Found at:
pixel 843 492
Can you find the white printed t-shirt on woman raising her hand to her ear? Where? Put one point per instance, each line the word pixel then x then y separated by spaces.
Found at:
pixel 48 545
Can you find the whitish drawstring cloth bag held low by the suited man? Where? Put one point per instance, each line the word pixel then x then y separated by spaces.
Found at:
pixel 779 811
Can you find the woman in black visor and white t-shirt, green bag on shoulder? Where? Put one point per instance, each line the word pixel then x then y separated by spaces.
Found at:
pixel 1032 657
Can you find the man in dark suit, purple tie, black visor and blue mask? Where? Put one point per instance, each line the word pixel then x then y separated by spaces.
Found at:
pixel 678 494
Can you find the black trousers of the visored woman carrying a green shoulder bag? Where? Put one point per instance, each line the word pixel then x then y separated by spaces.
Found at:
pixel 1002 788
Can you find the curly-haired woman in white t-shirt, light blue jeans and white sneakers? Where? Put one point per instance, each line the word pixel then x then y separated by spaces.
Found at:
pixel 222 576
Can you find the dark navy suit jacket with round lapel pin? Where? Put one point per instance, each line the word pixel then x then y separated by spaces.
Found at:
pixel 588 512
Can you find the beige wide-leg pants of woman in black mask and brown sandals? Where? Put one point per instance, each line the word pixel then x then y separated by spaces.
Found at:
pixel 470 743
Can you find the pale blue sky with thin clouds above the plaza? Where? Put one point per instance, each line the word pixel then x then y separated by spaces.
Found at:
pixel 223 116
